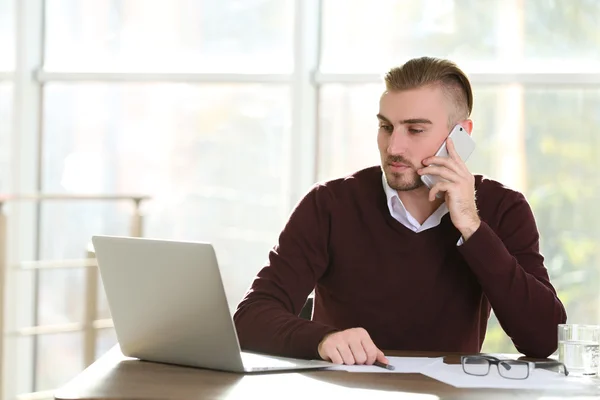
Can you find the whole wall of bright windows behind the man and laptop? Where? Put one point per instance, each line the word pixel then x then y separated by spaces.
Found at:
pixel 197 103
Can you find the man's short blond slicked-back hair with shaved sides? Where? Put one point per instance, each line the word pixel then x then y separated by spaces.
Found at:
pixel 425 71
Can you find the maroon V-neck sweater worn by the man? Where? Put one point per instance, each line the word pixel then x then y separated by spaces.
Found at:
pixel 410 291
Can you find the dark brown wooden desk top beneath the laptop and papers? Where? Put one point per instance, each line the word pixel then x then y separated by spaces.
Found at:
pixel 114 376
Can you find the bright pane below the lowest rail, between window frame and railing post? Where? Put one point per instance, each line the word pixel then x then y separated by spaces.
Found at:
pixel 60 359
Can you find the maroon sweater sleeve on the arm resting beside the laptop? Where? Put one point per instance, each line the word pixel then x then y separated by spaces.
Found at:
pixel 267 317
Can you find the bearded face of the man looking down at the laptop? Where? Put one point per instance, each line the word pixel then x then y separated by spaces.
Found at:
pixel 413 124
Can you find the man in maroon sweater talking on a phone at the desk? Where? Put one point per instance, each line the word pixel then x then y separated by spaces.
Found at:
pixel 394 266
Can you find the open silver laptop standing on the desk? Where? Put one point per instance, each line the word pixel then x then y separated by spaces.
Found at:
pixel 168 305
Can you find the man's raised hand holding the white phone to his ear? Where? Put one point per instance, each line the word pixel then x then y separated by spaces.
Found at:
pixel 458 187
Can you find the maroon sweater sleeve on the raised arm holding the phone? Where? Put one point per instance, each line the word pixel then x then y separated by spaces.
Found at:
pixel 511 271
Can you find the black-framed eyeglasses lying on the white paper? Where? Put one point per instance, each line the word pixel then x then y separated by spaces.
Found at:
pixel 512 369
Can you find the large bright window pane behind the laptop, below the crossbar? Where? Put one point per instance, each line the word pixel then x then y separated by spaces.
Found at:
pixel 211 157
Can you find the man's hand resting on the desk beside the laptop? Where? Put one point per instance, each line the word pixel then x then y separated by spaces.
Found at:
pixel 352 346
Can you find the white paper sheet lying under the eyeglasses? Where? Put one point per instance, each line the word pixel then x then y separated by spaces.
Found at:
pixel 538 379
